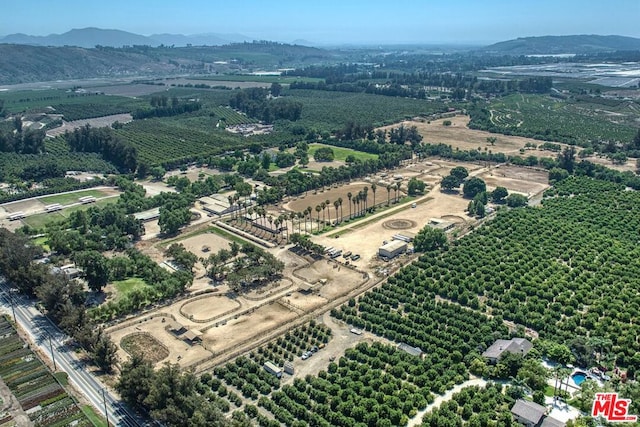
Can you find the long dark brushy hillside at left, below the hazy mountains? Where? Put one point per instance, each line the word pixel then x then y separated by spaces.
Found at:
pixel 28 63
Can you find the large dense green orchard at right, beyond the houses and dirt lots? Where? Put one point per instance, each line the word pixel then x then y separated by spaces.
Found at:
pixel 565 270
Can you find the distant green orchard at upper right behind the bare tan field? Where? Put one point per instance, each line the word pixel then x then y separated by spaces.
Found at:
pixel 564 120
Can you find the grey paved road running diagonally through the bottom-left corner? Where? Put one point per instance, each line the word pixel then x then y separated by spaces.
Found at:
pixel 47 336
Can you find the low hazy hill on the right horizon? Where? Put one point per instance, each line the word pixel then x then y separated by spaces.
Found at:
pixel 554 45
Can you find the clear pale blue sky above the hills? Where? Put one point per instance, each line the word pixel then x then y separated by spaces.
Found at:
pixel 332 21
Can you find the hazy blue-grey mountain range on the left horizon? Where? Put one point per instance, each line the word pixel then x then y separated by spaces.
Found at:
pixel 91 37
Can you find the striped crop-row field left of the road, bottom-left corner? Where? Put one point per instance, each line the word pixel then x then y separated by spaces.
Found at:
pixel 33 385
